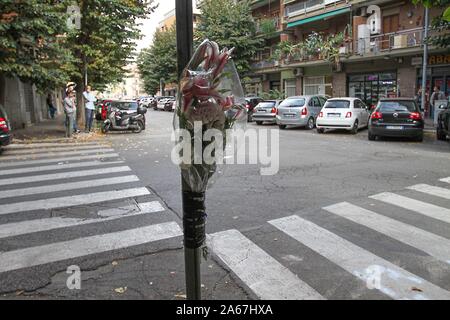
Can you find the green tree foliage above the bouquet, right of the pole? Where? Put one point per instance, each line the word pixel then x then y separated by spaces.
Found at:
pixel 230 24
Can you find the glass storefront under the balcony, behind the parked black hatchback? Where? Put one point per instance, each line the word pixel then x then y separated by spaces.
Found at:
pixel 371 87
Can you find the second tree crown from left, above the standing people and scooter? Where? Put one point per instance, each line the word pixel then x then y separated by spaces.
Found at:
pixel 105 43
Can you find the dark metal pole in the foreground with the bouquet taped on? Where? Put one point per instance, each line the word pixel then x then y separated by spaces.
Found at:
pixel 184 25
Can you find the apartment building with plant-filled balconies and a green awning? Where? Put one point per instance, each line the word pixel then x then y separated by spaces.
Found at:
pixel 365 49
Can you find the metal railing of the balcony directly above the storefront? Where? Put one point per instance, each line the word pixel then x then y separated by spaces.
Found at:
pixel 388 42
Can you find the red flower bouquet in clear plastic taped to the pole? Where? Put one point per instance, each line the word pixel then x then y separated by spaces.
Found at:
pixel 210 98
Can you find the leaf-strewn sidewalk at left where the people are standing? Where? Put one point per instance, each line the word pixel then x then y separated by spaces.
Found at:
pixel 52 131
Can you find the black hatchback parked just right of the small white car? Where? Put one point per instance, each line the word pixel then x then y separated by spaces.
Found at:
pixel 399 117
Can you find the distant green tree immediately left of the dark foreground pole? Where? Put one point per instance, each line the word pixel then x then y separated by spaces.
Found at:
pixel 159 61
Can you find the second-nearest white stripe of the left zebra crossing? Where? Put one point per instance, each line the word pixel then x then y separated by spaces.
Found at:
pixel 39 225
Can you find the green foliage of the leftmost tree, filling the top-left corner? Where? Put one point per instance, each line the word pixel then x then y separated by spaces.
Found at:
pixel 31 45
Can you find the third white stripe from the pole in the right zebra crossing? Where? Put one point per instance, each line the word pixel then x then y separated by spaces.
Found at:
pixel 434 245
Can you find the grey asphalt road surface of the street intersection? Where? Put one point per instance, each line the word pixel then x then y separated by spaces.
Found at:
pixel 339 210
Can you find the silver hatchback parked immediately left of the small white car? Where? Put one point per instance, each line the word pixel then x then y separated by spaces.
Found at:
pixel 301 111
